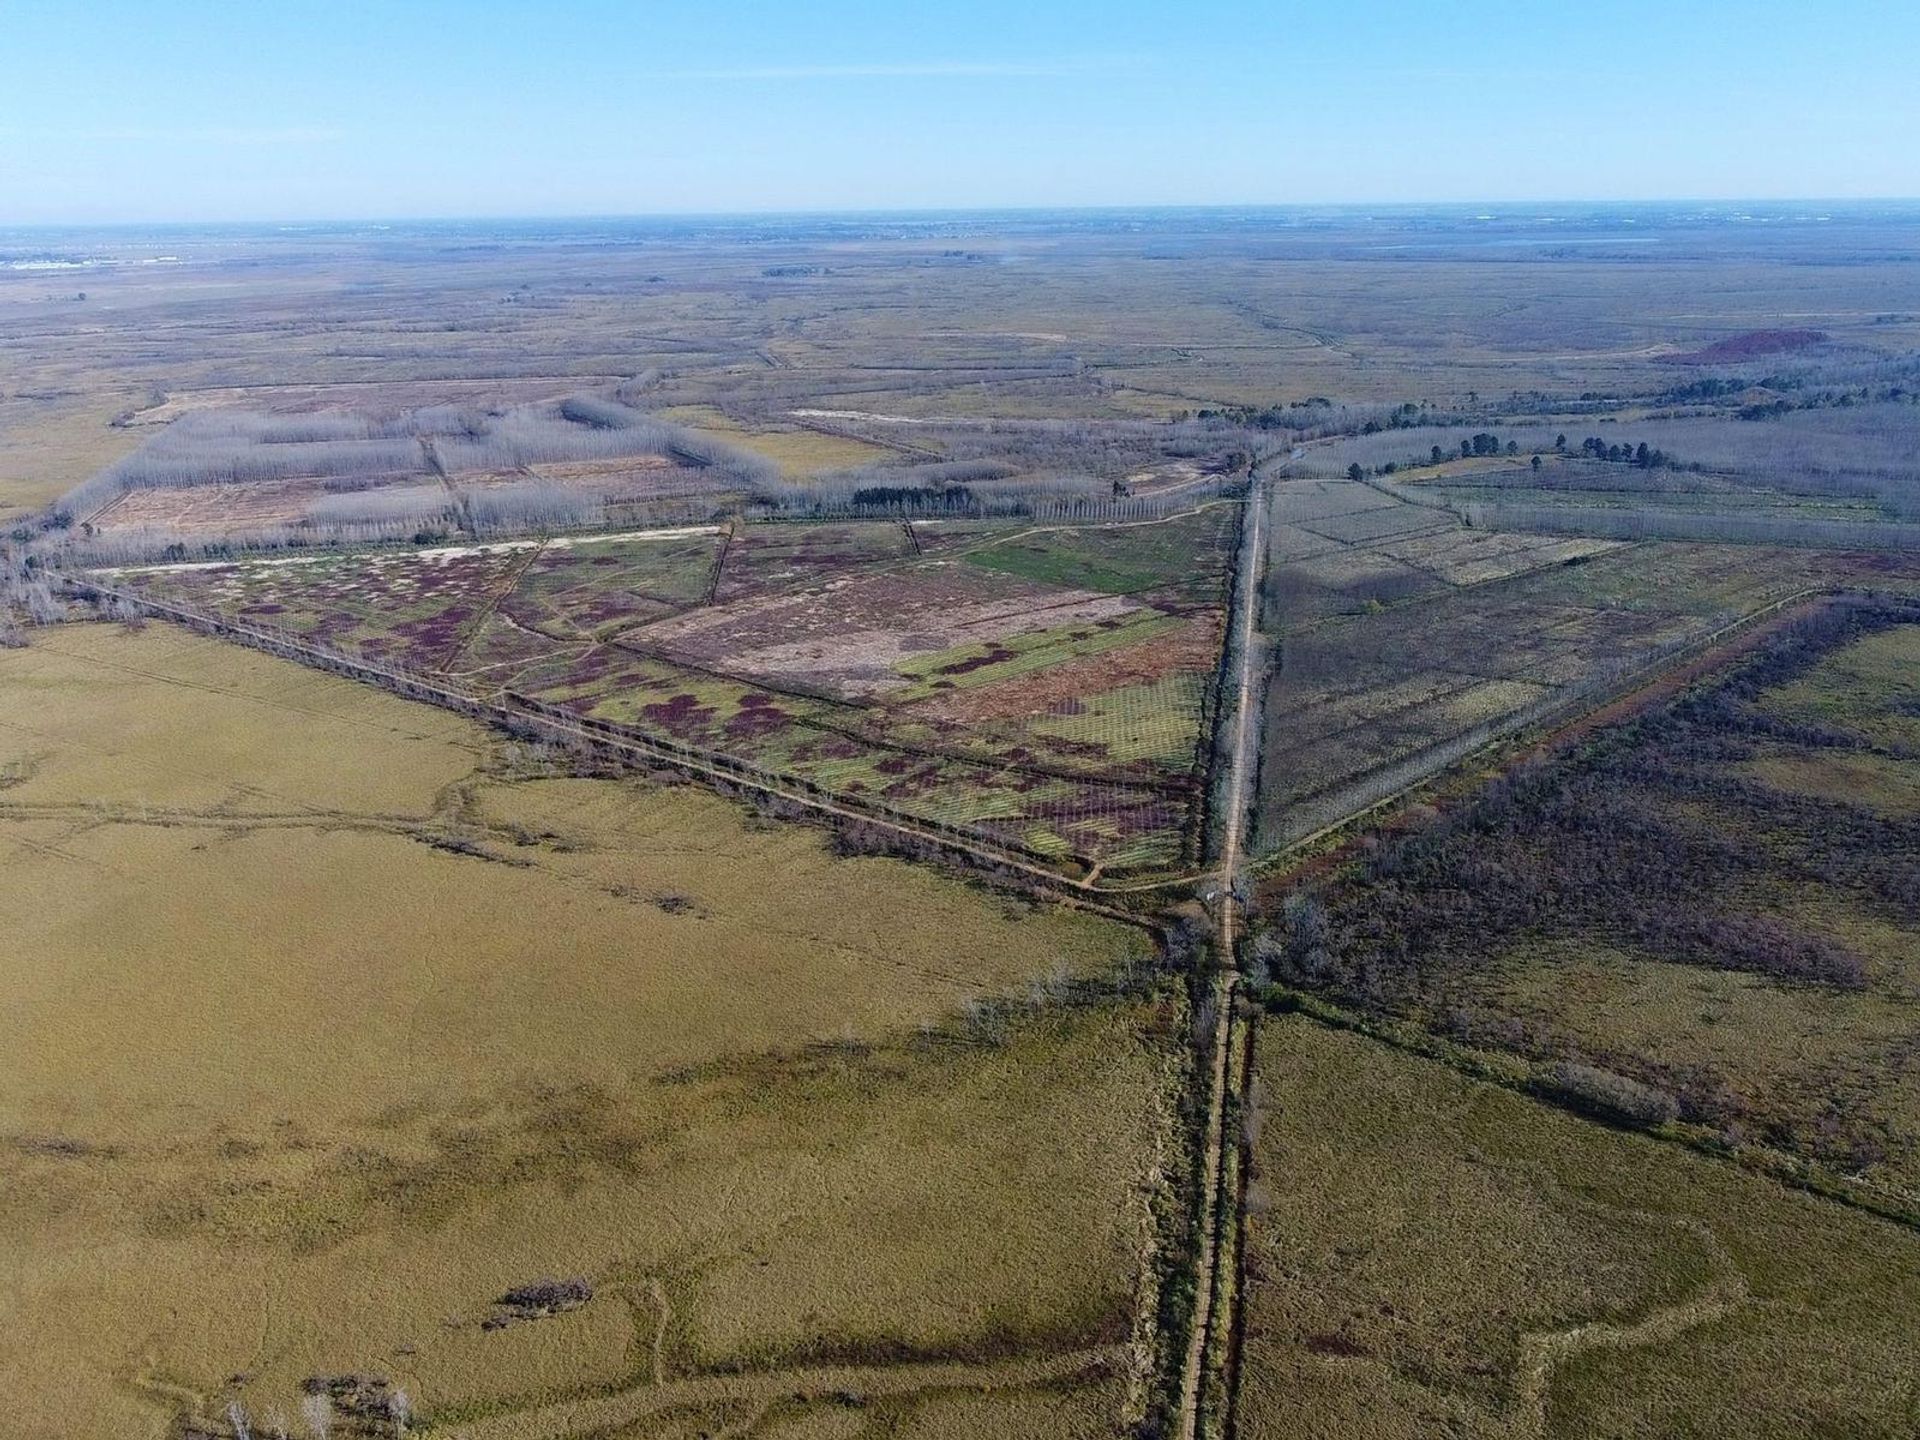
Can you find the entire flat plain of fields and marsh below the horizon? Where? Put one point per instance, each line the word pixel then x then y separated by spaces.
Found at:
pixel 665 871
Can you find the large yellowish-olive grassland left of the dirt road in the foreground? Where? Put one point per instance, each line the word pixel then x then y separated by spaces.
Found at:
pixel 350 1051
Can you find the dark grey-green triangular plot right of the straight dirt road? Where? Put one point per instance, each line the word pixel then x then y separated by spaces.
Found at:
pixel 1368 704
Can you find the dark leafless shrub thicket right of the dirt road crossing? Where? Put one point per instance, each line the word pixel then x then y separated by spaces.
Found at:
pixel 1650 840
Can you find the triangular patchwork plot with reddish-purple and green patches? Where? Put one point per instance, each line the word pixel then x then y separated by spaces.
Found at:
pixel 1038 686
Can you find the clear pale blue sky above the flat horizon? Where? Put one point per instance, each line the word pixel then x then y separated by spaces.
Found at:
pixel 345 110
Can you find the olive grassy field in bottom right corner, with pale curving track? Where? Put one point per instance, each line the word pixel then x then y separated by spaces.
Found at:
pixel 1433 1255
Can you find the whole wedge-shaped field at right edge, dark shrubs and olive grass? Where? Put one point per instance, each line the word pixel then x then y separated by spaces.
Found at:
pixel 1716 900
